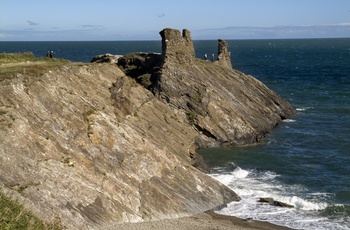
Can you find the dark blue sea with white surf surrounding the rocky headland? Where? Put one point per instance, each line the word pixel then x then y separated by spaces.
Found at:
pixel 305 160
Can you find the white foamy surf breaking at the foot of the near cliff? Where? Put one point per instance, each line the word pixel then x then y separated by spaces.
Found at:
pixel 251 185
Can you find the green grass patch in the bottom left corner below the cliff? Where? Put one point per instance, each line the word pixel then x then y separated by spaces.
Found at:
pixel 14 216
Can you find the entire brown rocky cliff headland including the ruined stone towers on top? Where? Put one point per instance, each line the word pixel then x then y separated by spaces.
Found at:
pixel 89 146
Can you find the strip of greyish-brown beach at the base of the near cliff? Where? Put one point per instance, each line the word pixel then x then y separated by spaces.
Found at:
pixel 202 221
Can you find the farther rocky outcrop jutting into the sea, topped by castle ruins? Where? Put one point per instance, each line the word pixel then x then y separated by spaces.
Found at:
pixel 224 105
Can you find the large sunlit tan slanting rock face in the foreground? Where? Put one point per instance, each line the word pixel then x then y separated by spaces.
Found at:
pixel 90 147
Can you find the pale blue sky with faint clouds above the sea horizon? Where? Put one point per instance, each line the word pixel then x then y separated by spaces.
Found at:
pixel 86 20
